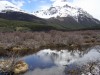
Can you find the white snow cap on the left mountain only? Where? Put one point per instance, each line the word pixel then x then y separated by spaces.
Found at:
pixel 8 6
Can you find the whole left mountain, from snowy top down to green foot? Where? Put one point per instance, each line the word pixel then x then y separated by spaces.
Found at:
pixel 13 18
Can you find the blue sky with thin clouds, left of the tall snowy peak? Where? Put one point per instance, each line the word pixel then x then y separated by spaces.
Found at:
pixel 33 5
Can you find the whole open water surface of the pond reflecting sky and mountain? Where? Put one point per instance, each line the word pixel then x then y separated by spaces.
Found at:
pixel 48 62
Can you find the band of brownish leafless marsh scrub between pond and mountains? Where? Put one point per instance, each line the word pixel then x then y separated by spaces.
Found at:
pixel 30 42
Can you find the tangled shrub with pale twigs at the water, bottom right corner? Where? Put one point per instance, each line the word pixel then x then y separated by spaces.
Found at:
pixel 91 68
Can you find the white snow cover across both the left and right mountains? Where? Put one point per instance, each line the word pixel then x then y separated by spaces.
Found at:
pixel 60 8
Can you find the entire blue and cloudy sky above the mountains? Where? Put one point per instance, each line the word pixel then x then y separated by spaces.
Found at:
pixel 91 6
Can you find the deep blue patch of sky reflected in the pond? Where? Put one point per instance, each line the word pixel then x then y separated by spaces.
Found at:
pixel 36 61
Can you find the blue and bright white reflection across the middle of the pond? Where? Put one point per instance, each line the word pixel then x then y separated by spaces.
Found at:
pixel 48 58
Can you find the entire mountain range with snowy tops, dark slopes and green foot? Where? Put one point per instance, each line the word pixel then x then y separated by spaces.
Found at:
pixel 57 17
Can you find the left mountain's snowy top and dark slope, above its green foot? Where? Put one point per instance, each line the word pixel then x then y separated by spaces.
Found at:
pixel 12 12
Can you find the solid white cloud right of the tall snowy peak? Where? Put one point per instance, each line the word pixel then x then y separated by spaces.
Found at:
pixel 91 6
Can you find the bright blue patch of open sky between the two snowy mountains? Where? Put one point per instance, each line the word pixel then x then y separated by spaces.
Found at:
pixel 34 5
